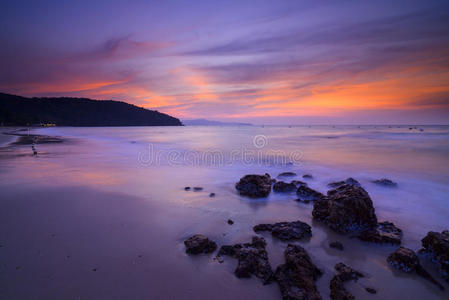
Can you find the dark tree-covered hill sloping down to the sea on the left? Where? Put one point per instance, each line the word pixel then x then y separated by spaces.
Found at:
pixel 65 111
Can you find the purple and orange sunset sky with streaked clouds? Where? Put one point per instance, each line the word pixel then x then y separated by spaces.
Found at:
pixel 265 62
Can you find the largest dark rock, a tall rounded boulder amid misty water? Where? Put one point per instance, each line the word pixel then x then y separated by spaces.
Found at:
pixel 347 208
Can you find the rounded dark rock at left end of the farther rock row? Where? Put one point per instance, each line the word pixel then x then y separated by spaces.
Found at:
pixel 254 186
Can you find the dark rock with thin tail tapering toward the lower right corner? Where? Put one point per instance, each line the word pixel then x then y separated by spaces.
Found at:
pixel 406 260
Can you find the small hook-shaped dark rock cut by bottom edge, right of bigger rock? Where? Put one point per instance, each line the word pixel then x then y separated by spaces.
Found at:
pixel 344 273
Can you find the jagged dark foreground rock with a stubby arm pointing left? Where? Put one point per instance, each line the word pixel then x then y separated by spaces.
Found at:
pixel 252 259
